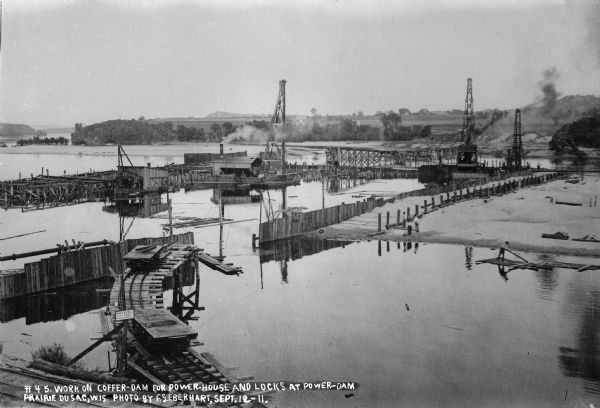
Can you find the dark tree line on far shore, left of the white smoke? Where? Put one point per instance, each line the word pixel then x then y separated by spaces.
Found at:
pixel 133 131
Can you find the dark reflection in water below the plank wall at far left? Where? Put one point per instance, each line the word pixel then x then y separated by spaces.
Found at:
pixel 57 304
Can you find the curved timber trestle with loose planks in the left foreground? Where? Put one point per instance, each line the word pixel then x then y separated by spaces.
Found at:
pixel 142 292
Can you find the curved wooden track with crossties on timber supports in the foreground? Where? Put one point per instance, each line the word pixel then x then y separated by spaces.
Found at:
pixel 158 347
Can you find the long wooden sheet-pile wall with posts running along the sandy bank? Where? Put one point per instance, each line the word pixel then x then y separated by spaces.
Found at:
pixel 300 223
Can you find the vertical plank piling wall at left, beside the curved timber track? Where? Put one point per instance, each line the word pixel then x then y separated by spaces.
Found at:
pixel 69 268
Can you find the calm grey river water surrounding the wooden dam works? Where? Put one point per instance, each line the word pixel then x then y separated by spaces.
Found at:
pixel 418 326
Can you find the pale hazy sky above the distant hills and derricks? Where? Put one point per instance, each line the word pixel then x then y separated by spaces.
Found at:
pixel 63 61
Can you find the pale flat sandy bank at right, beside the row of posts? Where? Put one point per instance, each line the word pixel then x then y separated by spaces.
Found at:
pixel 520 217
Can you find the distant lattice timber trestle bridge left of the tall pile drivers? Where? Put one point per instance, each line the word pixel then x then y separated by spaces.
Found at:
pixel 362 157
